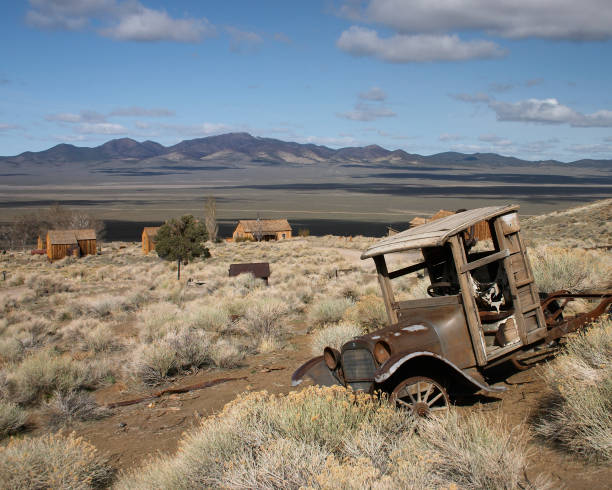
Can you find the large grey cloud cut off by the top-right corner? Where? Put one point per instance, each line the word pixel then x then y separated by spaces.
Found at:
pixel 515 19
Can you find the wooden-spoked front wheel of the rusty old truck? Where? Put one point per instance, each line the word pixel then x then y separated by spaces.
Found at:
pixel 420 395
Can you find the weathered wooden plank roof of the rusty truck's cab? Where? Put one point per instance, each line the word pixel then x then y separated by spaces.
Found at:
pixel 434 233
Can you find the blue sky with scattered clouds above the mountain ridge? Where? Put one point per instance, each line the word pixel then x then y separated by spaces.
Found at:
pixel 526 78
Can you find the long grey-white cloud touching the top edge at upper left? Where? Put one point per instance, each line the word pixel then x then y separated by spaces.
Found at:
pixel 126 21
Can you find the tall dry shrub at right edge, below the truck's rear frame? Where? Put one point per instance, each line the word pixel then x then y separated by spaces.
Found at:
pixel 576 413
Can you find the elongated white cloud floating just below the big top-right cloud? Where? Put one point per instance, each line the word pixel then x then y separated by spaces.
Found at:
pixel 403 48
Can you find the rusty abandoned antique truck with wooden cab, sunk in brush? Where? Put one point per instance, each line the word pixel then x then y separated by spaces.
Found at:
pixel 484 309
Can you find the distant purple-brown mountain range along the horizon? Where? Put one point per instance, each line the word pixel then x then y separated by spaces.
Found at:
pixel 244 148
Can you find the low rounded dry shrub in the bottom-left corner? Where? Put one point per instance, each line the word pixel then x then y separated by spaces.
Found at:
pixel 53 461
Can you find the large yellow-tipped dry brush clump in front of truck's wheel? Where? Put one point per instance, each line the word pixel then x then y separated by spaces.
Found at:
pixel 318 437
